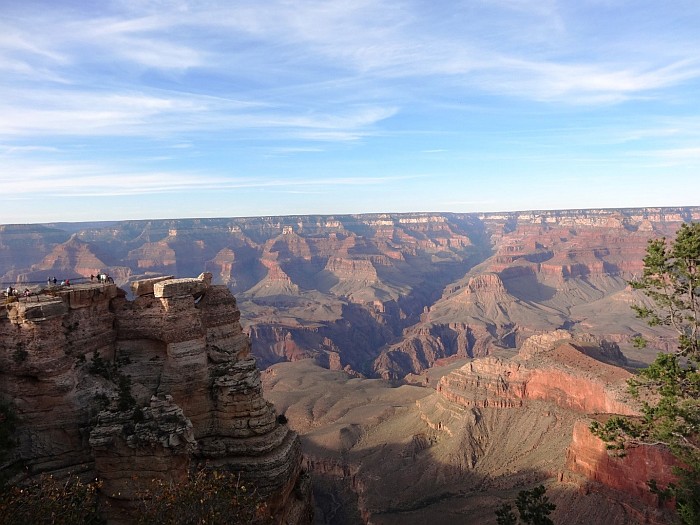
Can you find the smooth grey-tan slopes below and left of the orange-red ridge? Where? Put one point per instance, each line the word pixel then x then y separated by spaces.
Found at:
pixel 388 455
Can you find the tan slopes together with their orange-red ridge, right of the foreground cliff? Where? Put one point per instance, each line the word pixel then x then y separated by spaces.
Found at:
pixel 487 428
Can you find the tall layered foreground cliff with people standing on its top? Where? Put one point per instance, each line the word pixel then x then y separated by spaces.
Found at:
pixel 128 391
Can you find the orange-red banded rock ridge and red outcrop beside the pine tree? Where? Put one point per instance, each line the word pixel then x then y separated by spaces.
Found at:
pixel 580 375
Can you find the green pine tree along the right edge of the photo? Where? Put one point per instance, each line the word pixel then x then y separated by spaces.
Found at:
pixel 671 279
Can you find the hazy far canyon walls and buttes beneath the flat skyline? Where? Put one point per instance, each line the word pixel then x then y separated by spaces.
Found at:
pixel 423 286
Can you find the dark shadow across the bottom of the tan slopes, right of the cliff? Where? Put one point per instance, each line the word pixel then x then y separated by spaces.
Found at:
pixel 421 489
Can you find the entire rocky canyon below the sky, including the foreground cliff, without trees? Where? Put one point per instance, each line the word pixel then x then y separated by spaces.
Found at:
pixel 429 365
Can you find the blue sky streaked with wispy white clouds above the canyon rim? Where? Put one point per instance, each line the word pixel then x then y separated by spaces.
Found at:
pixel 131 109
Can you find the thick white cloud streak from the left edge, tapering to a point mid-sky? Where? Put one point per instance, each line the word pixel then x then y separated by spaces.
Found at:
pixel 128 114
